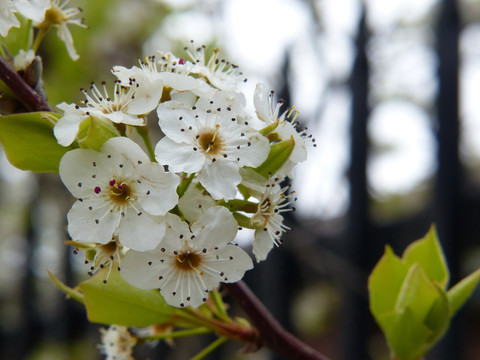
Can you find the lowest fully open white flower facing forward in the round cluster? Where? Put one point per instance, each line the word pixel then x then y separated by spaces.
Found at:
pixel 191 260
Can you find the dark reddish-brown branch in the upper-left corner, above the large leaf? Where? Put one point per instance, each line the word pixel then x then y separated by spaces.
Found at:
pixel 29 97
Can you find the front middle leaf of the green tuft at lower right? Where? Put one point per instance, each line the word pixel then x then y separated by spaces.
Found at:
pixel 418 293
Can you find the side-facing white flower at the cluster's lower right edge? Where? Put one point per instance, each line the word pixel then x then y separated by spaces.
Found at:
pixel 268 219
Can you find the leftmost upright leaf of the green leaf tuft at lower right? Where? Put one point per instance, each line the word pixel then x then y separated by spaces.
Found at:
pixel 385 282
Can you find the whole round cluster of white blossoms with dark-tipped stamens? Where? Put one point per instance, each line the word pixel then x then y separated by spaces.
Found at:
pixel 173 215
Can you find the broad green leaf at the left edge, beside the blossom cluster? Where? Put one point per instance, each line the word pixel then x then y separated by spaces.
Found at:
pixel 29 142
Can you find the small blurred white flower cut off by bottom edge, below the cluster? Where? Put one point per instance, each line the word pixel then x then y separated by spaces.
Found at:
pixel 117 343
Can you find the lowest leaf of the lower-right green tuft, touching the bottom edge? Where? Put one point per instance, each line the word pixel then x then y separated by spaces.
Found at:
pixel 405 333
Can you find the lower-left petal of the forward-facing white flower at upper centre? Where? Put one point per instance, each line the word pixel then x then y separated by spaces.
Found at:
pixel 179 156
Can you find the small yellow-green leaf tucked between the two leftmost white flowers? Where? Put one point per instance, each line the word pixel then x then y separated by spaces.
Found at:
pixel 94 132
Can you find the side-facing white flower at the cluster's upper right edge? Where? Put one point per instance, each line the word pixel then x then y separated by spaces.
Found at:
pixel 286 128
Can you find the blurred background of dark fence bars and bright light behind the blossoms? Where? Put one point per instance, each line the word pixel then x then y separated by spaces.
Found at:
pixel 389 89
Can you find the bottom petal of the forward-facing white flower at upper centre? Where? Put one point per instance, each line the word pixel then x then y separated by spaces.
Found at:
pixel 220 178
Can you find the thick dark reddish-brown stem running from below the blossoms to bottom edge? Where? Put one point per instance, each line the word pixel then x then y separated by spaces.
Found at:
pixel 272 334
